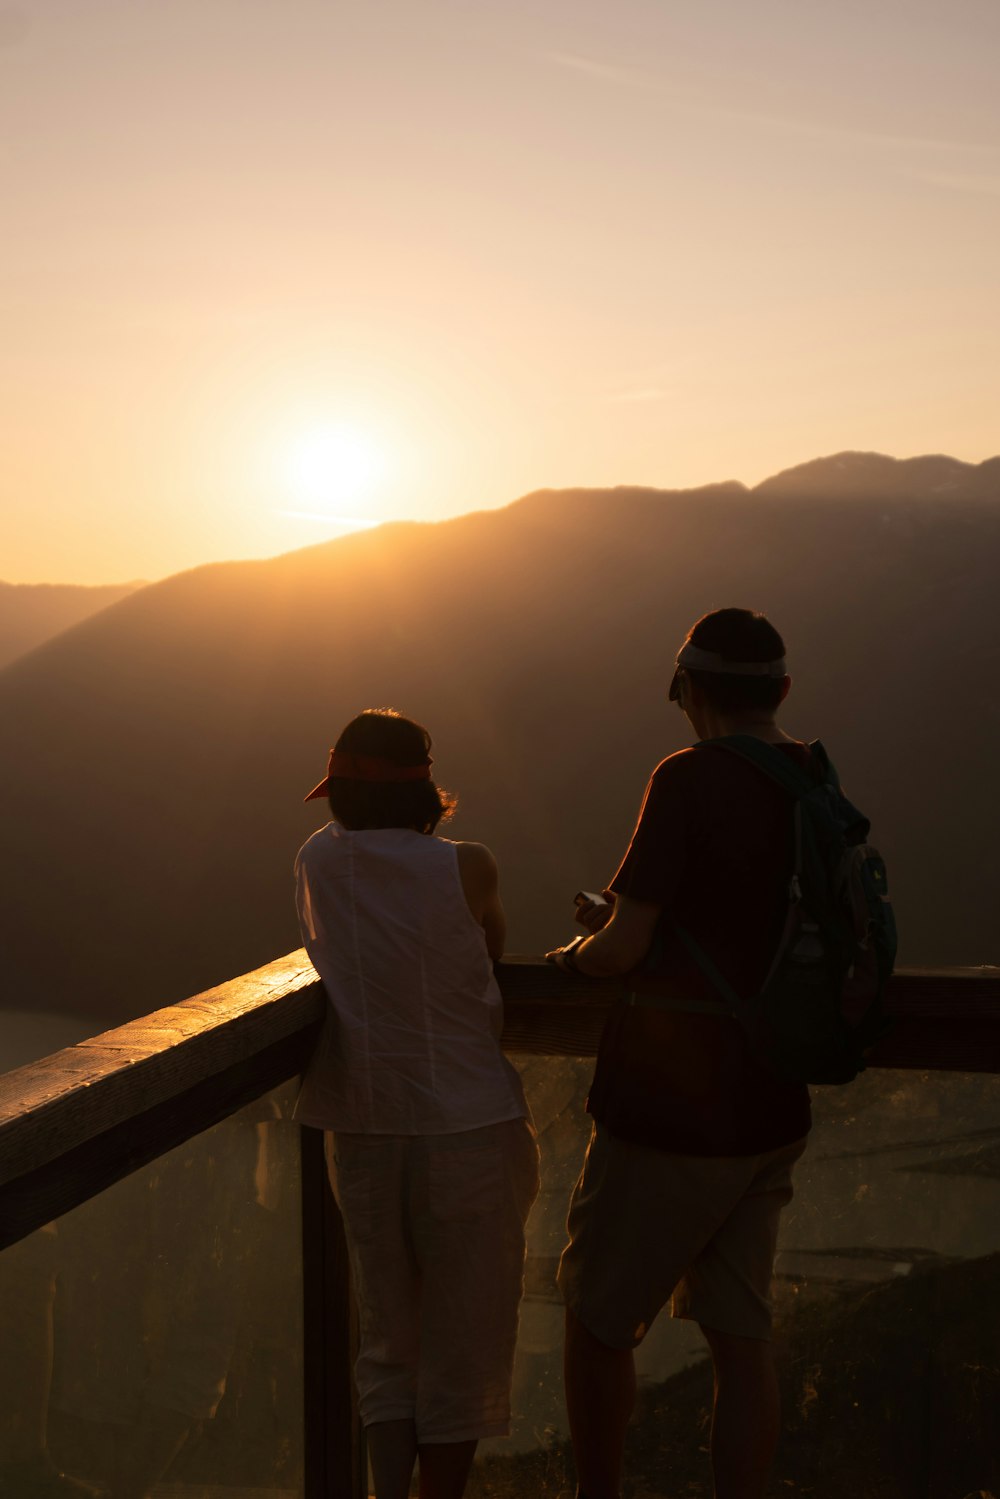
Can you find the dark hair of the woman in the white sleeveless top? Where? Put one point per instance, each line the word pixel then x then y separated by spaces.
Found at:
pixel 388 804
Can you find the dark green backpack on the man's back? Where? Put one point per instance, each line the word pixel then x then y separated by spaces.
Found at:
pixel 821 1007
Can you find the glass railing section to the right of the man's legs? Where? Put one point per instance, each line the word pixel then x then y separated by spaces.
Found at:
pixel 888 1291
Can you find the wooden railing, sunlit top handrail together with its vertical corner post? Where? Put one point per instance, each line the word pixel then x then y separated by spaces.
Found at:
pixel 86 1118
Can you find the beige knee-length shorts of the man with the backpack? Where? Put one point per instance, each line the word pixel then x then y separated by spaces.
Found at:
pixel 698 1231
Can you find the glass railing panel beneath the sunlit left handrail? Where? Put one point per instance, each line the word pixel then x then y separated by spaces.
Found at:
pixel 154 1338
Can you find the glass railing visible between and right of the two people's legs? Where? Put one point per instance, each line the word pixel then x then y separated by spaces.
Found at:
pixel 887 1308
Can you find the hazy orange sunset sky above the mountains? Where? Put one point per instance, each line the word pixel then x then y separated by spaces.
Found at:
pixel 277 268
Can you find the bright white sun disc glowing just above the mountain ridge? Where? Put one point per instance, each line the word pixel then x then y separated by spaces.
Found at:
pixel 334 473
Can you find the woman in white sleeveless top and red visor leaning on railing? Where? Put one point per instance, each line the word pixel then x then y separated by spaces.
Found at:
pixel 430 1141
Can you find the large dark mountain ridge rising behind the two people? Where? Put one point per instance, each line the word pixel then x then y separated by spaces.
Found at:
pixel 154 759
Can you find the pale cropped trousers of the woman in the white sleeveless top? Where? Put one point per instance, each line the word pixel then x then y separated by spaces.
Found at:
pixel 436 1228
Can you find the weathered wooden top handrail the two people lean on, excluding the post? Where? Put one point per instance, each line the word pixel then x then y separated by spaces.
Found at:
pixel 65 1100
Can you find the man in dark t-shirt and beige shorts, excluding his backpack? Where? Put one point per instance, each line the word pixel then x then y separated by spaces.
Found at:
pixel 693 1143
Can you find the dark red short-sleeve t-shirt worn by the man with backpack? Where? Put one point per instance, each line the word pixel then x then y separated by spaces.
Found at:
pixel 713 849
